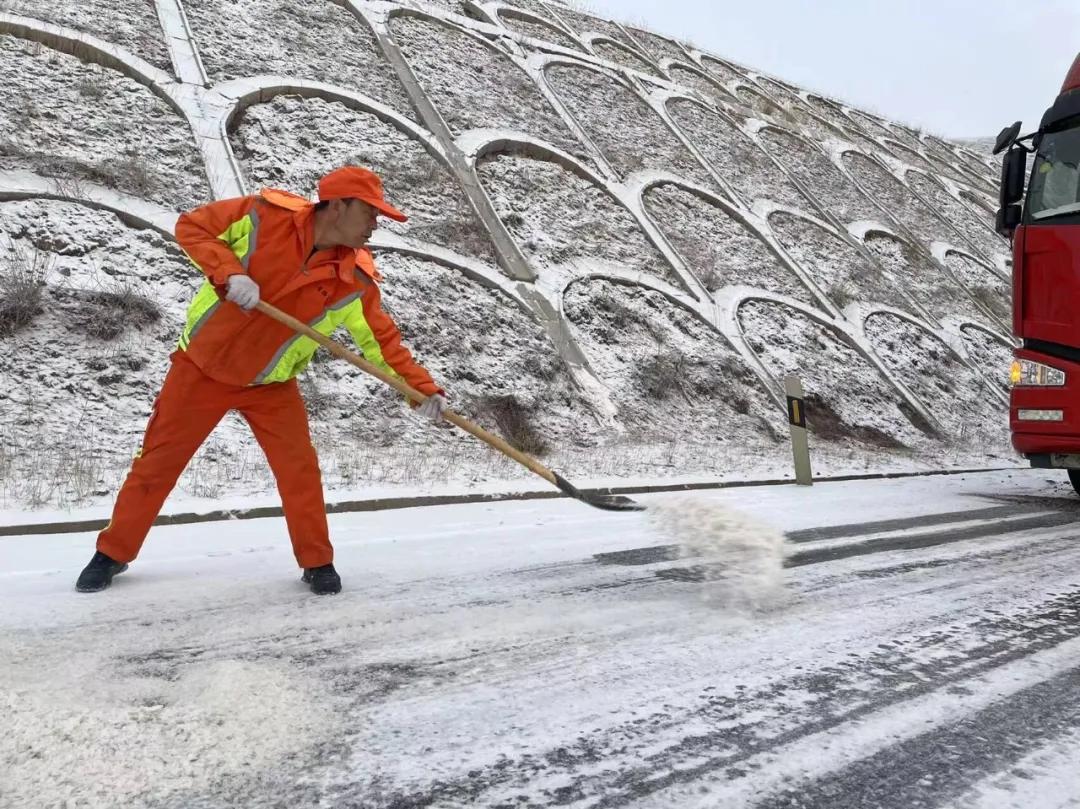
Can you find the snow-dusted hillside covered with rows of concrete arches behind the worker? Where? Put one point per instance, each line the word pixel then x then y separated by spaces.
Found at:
pixel 618 248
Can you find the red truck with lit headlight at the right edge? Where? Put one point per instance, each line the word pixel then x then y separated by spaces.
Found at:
pixel 1044 223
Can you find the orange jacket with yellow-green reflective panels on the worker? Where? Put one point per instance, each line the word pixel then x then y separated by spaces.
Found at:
pixel 271 237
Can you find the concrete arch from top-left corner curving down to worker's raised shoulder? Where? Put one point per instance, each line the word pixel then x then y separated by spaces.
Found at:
pixel 185 100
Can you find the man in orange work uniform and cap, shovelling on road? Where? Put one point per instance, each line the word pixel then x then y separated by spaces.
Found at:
pixel 312 261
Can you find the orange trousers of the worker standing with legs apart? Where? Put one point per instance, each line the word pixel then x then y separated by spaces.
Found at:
pixel 188 408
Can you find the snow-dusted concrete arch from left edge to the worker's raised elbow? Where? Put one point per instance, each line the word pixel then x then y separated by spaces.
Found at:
pixel 132 211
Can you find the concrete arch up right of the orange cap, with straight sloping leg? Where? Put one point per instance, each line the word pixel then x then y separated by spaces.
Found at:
pixel 626 196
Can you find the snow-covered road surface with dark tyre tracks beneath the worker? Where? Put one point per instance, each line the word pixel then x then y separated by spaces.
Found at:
pixel 926 653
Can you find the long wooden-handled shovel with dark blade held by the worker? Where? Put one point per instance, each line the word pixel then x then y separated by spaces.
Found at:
pixel 609 503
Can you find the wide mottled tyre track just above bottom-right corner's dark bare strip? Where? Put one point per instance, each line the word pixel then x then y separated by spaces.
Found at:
pixel 776 716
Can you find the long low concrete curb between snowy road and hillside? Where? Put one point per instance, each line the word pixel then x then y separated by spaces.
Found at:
pixel 423 502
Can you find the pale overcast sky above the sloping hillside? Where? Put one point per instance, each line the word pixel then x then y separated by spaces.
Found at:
pixel 961 69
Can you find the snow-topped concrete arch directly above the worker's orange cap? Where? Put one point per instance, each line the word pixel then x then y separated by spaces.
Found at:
pixel 237 96
